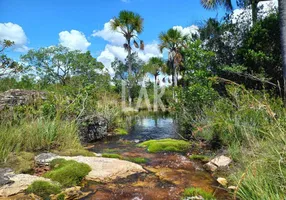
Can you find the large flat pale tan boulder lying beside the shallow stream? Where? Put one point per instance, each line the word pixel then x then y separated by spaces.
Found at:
pixel 105 169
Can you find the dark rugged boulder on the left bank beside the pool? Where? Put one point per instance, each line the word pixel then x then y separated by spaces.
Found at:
pixel 92 128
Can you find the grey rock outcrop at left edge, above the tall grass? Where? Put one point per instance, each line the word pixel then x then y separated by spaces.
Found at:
pixel 16 97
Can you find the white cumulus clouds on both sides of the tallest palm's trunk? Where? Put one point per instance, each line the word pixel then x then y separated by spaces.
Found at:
pixel 114 48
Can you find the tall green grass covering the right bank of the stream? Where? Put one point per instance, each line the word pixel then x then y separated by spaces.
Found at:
pixel 252 126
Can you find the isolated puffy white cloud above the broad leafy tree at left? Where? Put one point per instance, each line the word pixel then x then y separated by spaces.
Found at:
pixel 74 40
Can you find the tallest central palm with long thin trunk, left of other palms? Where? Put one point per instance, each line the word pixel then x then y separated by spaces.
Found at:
pixel 129 24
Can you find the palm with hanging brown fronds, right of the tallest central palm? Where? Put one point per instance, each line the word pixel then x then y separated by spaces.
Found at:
pixel 172 40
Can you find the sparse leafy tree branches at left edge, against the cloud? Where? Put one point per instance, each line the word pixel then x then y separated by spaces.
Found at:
pixel 7 65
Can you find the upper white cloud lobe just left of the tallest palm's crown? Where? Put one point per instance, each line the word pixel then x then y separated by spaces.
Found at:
pixel 109 35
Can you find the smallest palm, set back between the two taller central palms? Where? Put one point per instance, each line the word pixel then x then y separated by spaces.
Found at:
pixel 154 66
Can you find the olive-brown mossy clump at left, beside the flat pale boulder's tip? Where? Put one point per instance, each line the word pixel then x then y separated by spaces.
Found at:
pixel 22 162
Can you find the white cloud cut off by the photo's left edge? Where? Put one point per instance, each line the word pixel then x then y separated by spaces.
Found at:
pixel 15 33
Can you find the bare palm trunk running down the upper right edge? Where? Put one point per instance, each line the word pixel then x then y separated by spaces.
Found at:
pixel 282 18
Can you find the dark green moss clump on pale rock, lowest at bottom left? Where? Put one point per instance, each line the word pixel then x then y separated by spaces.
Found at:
pixel 43 189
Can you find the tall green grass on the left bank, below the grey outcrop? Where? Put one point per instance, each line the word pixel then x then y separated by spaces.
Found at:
pixel 37 135
